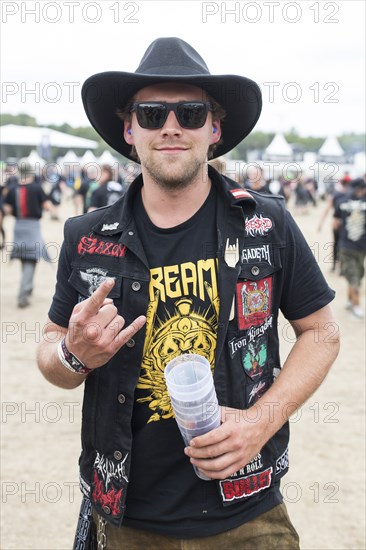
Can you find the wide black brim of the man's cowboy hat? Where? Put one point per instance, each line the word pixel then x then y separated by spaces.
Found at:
pixel 104 93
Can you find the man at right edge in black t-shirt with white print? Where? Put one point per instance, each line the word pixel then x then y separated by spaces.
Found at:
pixel 350 219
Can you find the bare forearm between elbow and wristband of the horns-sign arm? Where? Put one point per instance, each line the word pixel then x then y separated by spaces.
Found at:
pixel 52 368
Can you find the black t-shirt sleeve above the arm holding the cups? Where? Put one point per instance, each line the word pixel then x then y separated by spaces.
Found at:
pixel 305 289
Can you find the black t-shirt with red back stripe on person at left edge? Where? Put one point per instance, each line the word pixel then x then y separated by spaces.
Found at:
pixel 26 200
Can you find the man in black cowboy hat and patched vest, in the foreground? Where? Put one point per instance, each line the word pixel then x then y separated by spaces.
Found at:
pixel 208 266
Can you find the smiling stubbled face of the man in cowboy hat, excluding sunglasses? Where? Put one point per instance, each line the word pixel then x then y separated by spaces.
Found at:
pixel 172 156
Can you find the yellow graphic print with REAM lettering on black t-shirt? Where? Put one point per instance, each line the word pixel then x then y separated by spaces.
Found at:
pixel 182 317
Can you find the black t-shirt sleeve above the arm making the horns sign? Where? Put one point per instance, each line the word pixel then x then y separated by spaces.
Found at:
pixel 65 297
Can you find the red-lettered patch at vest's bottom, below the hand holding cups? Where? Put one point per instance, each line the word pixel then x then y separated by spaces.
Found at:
pixel 246 486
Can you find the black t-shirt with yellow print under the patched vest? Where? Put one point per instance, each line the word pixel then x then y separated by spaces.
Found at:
pixel 164 493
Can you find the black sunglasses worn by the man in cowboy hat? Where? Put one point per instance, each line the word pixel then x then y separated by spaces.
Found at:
pixel 153 114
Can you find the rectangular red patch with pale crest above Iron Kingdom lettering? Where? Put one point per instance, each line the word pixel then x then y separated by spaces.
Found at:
pixel 253 302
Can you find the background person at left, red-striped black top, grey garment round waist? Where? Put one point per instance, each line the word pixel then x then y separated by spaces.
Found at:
pixel 26 201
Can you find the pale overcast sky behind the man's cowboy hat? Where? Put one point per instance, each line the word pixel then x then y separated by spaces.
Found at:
pixel 308 56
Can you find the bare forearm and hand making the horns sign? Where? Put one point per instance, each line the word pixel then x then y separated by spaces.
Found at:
pixel 96 332
